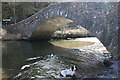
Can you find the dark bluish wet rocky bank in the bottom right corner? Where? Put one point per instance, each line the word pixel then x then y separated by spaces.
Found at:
pixel 107 73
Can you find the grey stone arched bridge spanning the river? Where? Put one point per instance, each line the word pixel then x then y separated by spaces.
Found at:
pixel 100 18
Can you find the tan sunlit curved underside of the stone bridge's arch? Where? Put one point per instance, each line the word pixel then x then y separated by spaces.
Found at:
pixel 46 29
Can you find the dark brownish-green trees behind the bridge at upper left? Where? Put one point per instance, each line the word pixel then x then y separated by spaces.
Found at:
pixel 17 11
